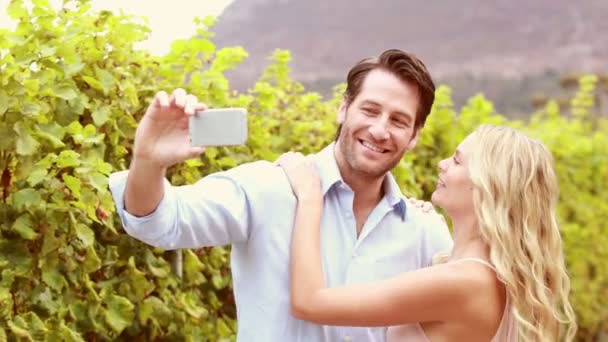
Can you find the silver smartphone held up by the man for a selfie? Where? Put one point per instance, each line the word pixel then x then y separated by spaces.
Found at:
pixel 218 127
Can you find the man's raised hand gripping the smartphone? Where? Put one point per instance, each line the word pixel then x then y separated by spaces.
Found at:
pixel 161 139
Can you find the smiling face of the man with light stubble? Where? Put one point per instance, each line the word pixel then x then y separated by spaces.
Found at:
pixel 378 126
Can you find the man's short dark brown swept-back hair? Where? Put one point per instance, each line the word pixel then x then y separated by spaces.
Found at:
pixel 405 66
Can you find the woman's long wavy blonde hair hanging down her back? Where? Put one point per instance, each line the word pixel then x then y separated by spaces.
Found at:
pixel 515 197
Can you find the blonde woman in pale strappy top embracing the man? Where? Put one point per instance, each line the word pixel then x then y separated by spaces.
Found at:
pixel 505 279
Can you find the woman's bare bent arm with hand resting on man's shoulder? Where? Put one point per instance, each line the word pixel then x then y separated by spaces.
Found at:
pixel 437 293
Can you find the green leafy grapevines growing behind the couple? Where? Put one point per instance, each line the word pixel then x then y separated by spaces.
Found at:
pixel 74 88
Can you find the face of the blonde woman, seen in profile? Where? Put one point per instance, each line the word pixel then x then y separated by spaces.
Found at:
pixel 454 192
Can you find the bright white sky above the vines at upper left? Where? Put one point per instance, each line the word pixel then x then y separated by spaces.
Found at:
pixel 168 20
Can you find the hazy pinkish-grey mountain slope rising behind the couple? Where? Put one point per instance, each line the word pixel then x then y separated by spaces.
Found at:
pixel 500 47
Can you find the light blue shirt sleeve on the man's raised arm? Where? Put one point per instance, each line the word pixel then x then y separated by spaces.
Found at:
pixel 211 212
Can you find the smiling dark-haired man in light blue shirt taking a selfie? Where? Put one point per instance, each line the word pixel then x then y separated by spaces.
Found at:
pixel 369 232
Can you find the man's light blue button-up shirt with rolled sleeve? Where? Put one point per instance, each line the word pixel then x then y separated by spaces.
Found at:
pixel 252 207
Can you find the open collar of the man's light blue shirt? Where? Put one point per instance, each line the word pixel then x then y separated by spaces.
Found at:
pixel 330 175
